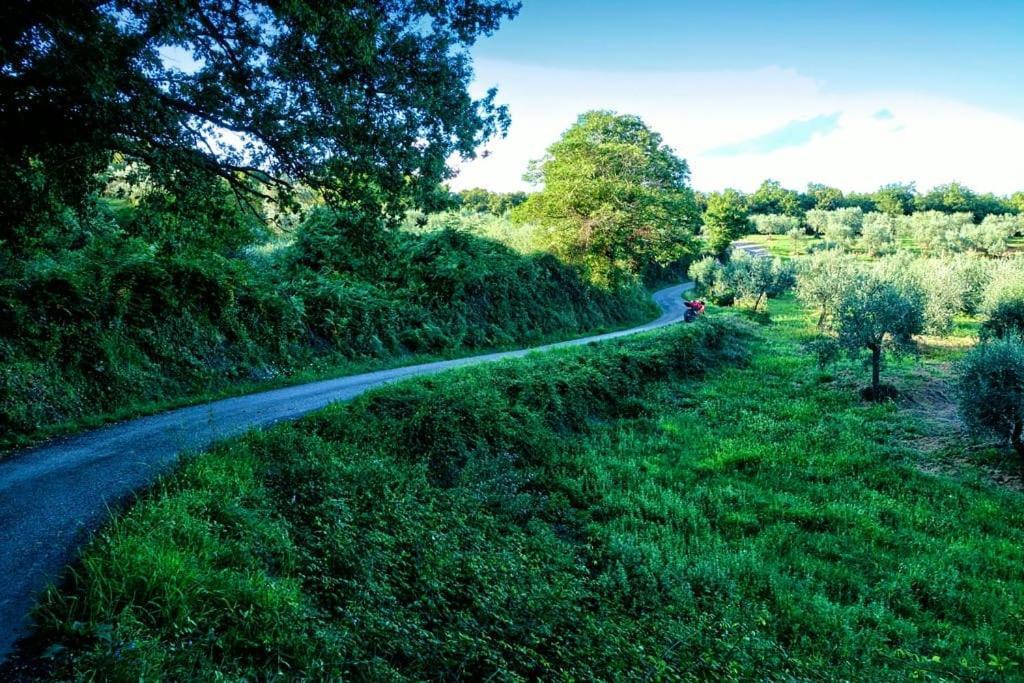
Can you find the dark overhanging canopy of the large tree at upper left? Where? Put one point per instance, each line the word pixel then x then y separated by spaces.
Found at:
pixel 366 100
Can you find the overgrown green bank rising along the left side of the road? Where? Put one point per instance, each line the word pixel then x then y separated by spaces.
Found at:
pixel 456 296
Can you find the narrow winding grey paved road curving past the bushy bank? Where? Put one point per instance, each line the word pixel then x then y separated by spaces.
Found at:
pixel 52 497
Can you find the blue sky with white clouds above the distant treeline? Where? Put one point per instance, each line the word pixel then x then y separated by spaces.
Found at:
pixel 855 95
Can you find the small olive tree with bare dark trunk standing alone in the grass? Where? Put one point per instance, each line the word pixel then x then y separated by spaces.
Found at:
pixel 878 316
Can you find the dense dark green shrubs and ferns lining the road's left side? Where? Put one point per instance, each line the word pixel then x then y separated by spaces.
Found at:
pixel 123 321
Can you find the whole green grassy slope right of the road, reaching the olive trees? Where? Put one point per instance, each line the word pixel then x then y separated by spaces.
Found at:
pixel 553 516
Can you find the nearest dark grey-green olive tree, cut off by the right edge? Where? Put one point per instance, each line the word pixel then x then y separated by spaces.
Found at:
pixel 992 390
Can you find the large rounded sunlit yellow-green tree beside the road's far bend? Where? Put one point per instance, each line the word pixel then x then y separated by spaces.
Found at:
pixel 616 198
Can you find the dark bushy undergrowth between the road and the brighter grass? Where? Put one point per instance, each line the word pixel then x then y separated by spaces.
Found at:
pixel 439 526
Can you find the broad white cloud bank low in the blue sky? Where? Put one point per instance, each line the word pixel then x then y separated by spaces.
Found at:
pixel 928 140
